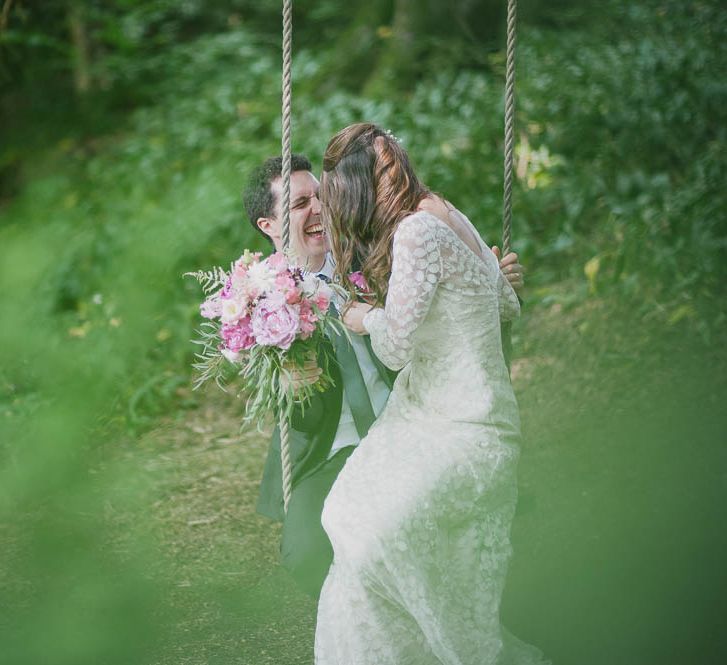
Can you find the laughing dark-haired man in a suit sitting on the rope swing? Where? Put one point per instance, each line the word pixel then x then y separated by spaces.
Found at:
pixel 326 433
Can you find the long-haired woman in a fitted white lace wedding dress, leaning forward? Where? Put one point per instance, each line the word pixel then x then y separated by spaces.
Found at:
pixel 419 518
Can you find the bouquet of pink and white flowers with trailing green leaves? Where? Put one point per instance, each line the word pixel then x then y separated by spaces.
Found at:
pixel 267 317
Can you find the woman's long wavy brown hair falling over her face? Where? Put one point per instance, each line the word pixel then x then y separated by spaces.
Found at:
pixel 367 188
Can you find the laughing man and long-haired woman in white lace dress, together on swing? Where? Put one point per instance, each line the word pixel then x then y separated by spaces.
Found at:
pixel 404 485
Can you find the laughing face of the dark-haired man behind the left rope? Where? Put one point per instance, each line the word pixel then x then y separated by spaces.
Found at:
pixel 306 229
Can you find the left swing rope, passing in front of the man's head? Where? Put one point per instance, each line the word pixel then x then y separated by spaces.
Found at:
pixel 287 103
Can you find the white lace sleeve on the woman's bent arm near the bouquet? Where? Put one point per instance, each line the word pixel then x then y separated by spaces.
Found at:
pixel 415 273
